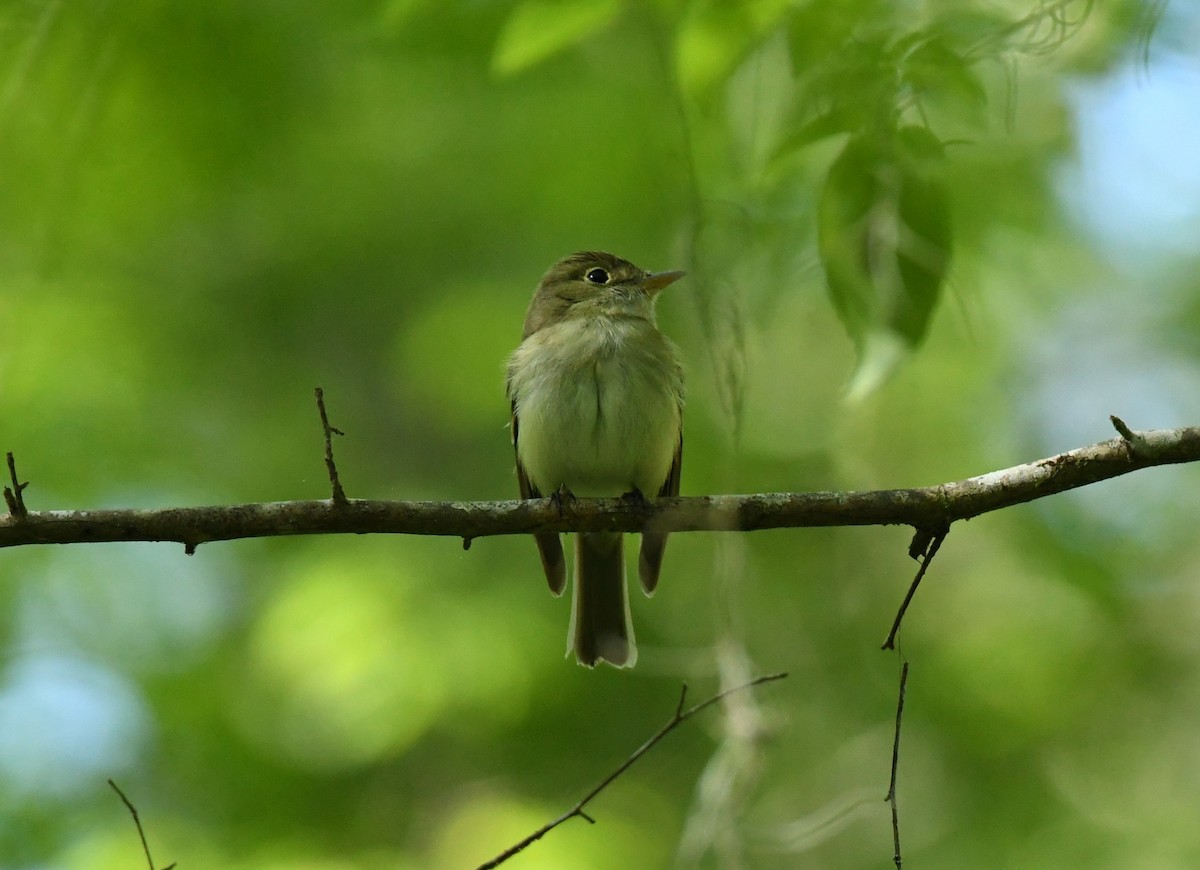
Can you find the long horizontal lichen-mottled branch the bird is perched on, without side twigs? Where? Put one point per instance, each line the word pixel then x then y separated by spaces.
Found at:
pixel 929 508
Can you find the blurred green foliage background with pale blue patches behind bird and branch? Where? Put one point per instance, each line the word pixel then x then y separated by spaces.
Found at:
pixel 209 209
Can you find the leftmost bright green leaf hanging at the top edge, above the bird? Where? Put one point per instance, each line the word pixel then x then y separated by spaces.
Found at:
pixel 541 29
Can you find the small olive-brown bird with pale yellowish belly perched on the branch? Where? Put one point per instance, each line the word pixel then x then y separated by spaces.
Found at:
pixel 598 395
